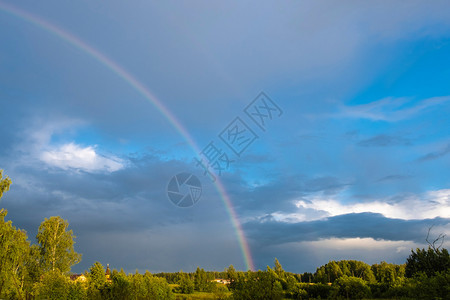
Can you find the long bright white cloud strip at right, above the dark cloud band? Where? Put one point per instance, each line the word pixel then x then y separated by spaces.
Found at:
pixel 425 206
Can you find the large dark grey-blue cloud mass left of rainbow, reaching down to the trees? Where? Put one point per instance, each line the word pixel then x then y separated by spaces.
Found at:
pixel 129 209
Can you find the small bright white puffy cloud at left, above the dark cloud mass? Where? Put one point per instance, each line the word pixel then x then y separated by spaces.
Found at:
pixel 72 156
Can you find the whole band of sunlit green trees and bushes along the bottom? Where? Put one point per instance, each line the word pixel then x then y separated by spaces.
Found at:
pixel 42 271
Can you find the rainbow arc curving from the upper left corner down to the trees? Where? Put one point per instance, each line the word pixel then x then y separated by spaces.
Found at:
pixel 139 87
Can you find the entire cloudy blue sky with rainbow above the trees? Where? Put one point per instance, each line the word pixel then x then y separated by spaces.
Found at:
pixel 316 131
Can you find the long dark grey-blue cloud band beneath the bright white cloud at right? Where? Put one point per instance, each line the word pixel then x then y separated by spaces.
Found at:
pixel 268 231
